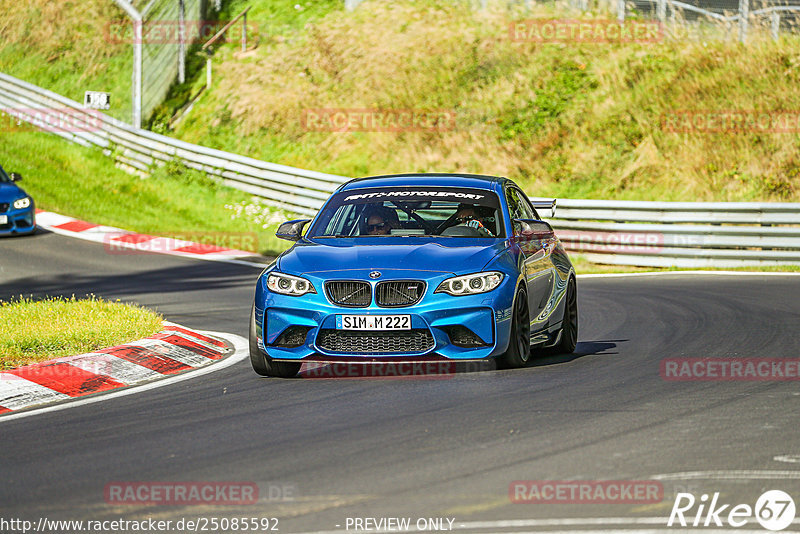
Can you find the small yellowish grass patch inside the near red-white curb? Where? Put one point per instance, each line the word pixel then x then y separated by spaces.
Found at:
pixel 36 331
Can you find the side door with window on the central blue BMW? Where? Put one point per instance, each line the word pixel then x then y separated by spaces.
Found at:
pixel 537 265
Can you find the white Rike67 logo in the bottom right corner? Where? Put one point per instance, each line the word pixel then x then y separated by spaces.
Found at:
pixel 774 510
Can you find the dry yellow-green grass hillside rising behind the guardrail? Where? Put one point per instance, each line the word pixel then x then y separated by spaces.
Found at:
pixel 581 120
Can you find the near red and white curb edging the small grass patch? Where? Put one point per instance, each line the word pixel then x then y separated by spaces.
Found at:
pixel 171 351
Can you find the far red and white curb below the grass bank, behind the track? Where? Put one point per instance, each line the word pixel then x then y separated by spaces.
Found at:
pixel 118 241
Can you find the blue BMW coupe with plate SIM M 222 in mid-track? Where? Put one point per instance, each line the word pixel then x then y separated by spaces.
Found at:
pixel 416 267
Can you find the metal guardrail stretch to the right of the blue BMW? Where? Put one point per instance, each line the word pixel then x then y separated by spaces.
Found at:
pixel 681 234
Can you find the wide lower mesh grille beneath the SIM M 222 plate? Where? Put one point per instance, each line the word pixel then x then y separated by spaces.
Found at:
pixel 379 342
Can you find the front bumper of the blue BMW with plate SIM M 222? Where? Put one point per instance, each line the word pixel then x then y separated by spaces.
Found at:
pixel 438 324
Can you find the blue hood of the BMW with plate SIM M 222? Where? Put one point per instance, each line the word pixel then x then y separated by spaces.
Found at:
pixel 450 255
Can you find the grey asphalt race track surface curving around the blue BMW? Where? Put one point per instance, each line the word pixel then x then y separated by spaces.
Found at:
pixel 325 450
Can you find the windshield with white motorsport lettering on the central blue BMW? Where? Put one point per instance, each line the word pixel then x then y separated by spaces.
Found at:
pixel 411 211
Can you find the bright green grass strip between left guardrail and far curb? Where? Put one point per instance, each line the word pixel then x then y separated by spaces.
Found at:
pixel 81 182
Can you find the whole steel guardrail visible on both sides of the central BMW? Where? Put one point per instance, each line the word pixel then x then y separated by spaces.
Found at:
pixel 683 234
